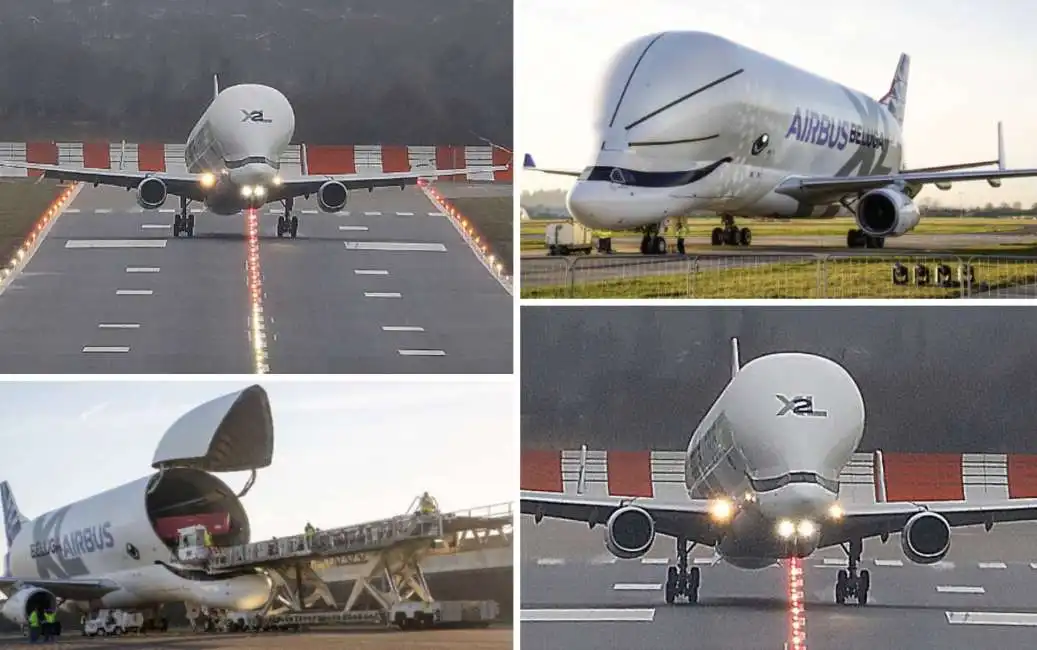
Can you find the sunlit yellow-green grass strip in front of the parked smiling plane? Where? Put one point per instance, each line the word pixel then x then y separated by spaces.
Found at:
pixel 845 278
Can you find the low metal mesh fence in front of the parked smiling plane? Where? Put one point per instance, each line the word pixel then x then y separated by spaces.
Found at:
pixel 850 275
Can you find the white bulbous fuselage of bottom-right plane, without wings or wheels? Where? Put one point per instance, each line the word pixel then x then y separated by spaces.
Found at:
pixel 743 437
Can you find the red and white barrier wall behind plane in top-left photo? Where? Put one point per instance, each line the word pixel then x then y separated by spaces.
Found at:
pixel 298 160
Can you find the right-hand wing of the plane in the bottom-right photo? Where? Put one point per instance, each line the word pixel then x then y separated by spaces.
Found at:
pixel 881 519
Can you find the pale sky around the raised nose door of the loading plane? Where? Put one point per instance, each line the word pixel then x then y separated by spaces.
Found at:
pixel 345 453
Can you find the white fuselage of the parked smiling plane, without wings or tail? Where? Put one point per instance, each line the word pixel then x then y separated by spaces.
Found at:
pixel 768 98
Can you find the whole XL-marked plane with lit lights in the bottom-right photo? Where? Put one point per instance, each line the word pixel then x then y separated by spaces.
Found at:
pixel 763 478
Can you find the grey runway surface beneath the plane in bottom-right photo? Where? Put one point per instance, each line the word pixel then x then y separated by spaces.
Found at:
pixel 567 573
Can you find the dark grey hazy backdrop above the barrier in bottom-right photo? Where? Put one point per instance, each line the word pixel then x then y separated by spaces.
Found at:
pixel 641 378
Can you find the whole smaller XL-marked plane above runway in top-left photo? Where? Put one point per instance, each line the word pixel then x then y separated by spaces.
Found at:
pixel 234 162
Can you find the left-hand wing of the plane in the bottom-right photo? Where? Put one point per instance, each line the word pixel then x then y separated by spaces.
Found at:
pixel 690 519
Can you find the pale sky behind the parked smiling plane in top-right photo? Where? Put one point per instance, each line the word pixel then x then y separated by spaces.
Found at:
pixel 961 54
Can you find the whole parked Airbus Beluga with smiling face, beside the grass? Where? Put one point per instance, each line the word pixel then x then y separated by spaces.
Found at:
pixel 691 122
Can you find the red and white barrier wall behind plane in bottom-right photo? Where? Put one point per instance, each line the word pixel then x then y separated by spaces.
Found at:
pixel 905 476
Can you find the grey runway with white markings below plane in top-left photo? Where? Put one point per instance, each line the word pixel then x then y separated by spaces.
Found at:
pixel 388 286
